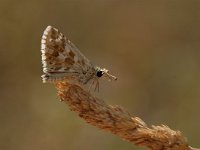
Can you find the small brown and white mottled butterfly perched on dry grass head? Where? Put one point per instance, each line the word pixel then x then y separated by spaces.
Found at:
pixel 63 62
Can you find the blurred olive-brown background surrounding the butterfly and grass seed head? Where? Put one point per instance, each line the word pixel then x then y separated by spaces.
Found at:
pixel 153 47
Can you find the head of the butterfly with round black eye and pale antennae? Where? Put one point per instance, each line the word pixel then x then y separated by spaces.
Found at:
pixel 104 72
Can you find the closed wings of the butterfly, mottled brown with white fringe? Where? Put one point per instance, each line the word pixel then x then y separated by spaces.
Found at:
pixel 60 57
